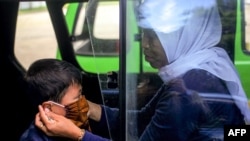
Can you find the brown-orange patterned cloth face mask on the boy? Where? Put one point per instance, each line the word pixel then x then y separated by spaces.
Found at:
pixel 77 112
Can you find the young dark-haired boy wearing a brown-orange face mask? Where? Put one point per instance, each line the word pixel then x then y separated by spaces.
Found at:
pixel 56 85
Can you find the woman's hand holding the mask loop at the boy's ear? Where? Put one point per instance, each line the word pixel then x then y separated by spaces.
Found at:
pixel 56 125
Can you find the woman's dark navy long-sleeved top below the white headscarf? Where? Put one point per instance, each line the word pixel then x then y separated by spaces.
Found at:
pixel 185 116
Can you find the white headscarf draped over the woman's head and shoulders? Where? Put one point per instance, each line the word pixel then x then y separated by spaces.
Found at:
pixel 188 31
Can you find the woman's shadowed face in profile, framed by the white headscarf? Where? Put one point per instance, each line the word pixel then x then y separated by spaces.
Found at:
pixel 153 50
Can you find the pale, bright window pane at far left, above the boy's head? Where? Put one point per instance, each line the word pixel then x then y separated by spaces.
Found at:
pixel 35 36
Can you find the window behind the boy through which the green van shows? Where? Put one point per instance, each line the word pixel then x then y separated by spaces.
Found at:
pixel 95 36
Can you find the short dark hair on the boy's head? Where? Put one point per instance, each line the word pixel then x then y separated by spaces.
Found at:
pixel 47 79
